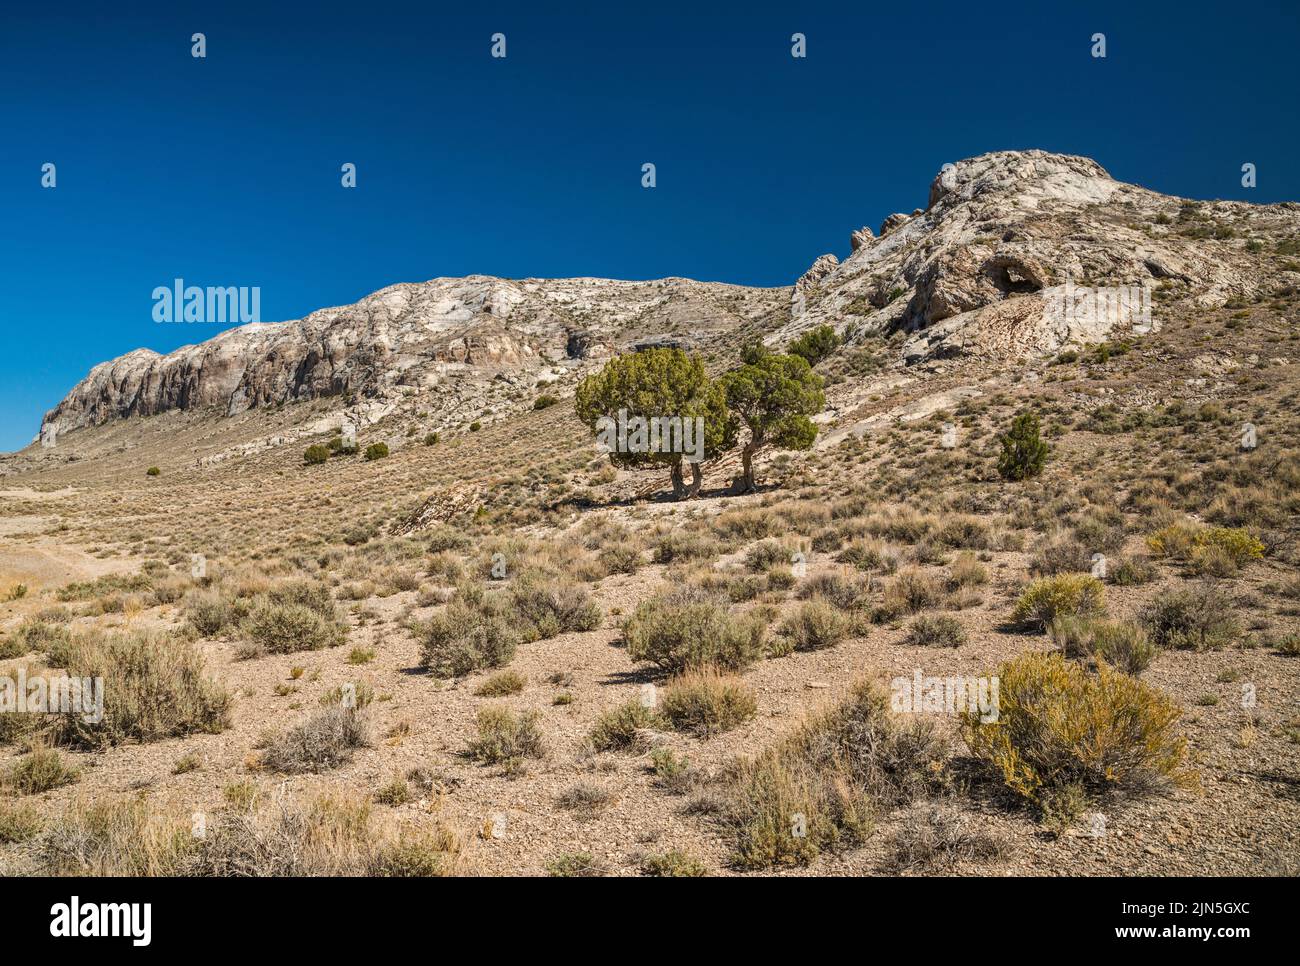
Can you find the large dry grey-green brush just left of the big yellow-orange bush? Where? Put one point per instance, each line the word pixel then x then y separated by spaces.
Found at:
pixel 838 770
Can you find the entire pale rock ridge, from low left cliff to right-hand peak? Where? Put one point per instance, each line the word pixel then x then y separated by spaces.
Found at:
pixel 991 267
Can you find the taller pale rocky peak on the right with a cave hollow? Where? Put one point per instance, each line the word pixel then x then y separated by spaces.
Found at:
pixel 1003 258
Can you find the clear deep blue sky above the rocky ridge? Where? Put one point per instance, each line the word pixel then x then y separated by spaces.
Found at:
pixel 227 171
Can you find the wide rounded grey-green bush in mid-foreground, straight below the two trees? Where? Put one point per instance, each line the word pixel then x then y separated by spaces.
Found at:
pixel 688 627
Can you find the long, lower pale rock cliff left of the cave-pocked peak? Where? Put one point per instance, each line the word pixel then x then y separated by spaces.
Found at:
pixel 408 339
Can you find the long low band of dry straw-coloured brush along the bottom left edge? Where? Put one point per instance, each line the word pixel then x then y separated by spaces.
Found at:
pixel 328 835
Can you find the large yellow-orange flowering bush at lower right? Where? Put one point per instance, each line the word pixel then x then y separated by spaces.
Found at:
pixel 1063 731
